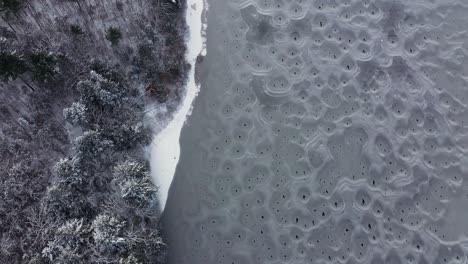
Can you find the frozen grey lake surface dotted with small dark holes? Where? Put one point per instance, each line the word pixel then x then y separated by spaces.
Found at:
pixel 326 132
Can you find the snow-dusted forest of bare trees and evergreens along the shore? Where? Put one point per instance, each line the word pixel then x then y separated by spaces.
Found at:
pixel 78 79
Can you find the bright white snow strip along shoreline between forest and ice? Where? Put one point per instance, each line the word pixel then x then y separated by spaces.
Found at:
pixel 165 149
